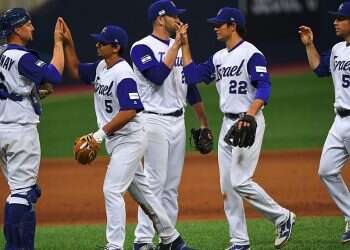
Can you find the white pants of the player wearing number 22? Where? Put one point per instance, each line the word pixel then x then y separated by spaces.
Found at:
pixel 237 167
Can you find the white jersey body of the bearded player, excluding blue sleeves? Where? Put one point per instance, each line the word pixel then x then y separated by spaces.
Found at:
pixel 171 95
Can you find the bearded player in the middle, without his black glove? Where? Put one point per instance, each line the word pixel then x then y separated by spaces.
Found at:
pixel 157 62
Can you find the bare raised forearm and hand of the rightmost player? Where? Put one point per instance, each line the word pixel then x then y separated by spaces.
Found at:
pixel 307 38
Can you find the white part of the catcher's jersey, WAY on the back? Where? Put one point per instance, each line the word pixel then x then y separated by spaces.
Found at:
pixel 20 112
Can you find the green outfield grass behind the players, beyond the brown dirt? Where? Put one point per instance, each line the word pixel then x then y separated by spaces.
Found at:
pixel 299 115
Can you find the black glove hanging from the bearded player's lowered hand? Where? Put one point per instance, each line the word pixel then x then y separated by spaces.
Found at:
pixel 203 140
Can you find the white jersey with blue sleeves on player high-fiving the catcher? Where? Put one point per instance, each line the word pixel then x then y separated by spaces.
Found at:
pixel 109 94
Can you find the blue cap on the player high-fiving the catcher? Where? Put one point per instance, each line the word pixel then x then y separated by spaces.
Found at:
pixel 112 34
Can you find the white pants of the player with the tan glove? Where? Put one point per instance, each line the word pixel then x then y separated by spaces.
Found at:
pixel 125 172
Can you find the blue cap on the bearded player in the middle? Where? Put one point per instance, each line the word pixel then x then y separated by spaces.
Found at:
pixel 163 7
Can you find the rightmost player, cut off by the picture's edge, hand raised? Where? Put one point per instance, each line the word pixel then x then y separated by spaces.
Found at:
pixel 336 149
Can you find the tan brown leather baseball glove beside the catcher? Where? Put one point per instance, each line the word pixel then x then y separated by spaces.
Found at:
pixel 85 149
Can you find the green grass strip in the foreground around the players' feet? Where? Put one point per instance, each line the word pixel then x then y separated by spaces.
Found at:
pixel 310 233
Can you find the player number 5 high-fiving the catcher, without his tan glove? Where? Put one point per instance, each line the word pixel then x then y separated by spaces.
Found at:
pixel 117 107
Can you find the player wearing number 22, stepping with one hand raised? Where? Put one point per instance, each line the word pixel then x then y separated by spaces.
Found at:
pixel 243 84
